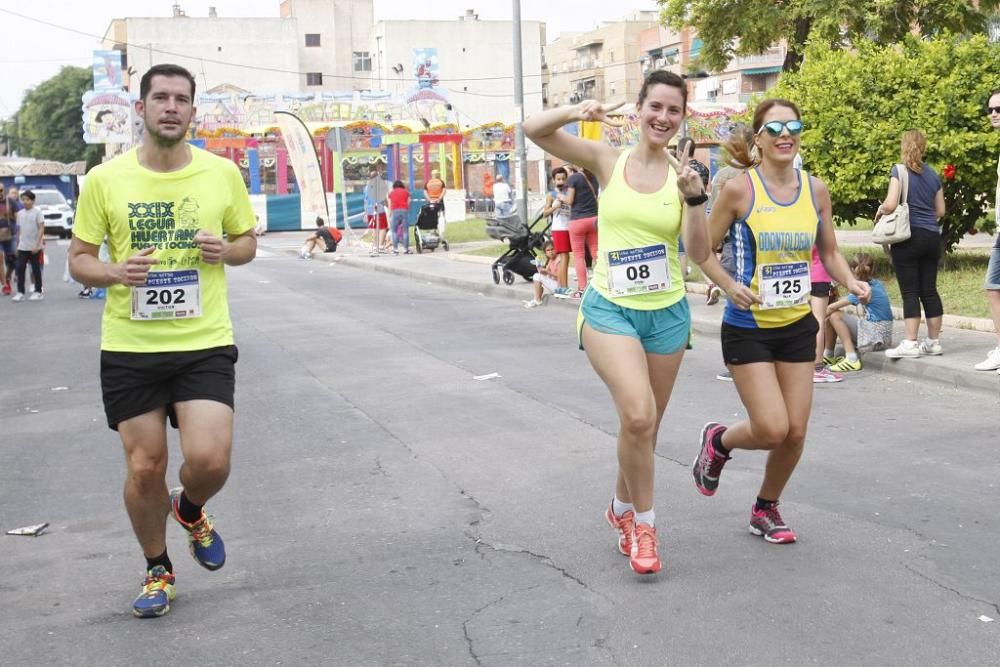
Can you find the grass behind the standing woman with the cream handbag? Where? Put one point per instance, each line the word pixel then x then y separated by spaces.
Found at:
pixel 960 279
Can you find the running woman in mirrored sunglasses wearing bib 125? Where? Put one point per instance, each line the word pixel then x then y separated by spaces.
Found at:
pixel 774 216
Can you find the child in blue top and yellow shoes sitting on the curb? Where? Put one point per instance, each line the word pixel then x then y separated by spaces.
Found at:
pixel 874 332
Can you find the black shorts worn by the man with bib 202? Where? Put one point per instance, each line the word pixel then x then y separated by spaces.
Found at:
pixel 134 383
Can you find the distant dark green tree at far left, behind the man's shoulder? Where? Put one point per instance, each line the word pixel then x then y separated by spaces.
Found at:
pixel 49 124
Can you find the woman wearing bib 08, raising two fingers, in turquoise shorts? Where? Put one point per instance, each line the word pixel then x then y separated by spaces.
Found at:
pixel 634 319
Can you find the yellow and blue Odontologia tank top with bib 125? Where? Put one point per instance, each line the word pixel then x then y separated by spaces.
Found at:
pixel 772 249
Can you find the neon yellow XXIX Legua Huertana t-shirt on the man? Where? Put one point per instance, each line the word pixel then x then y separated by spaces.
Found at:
pixel 136 208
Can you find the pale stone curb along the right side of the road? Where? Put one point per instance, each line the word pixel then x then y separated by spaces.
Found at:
pixel 923 369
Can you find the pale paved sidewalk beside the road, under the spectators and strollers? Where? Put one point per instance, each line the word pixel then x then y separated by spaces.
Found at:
pixel 963 347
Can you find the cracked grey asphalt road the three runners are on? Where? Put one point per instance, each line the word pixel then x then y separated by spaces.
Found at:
pixel 387 508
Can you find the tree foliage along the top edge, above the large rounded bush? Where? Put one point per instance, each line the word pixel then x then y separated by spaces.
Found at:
pixel 747 27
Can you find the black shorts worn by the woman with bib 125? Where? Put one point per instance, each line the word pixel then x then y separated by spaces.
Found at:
pixel 794 343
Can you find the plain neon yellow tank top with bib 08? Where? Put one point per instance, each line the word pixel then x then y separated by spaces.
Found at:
pixel 637 265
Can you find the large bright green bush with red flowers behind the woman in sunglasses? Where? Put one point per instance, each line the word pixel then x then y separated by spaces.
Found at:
pixel 857 104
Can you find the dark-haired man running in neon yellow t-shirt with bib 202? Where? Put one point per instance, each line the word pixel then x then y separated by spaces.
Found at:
pixel 173 215
